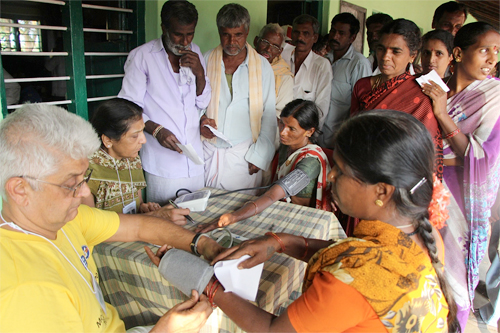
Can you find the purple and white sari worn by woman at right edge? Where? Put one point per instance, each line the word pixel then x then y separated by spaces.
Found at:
pixel 474 186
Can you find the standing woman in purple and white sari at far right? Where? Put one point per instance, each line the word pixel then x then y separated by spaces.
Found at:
pixel 469 117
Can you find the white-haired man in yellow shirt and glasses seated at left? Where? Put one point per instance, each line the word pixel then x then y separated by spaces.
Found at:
pixel 47 236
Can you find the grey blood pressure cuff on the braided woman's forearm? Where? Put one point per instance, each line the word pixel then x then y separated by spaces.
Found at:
pixel 185 271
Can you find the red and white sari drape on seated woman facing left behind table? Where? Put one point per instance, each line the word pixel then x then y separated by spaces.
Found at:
pixel 310 150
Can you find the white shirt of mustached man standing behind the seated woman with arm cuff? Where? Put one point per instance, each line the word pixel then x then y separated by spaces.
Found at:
pixel 313 81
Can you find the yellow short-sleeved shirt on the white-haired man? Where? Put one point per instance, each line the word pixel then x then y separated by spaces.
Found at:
pixel 42 292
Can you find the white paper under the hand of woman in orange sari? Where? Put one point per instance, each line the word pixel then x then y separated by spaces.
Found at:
pixel 242 282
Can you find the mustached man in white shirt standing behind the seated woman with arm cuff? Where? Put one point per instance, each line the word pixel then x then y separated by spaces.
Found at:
pixel 313 73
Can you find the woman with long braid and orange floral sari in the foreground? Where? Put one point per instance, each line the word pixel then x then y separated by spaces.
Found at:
pixel 388 276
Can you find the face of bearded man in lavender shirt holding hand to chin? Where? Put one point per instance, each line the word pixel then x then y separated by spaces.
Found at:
pixel 178 36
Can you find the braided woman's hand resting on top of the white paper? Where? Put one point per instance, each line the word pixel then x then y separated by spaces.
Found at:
pixel 259 249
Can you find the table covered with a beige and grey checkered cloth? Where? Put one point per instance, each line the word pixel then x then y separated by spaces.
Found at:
pixel 134 286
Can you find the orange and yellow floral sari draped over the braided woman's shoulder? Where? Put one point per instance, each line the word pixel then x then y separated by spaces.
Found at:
pixel 392 273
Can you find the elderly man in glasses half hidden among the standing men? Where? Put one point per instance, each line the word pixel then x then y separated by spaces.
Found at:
pixel 269 44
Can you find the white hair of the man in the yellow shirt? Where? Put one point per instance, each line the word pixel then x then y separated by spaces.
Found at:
pixel 37 137
